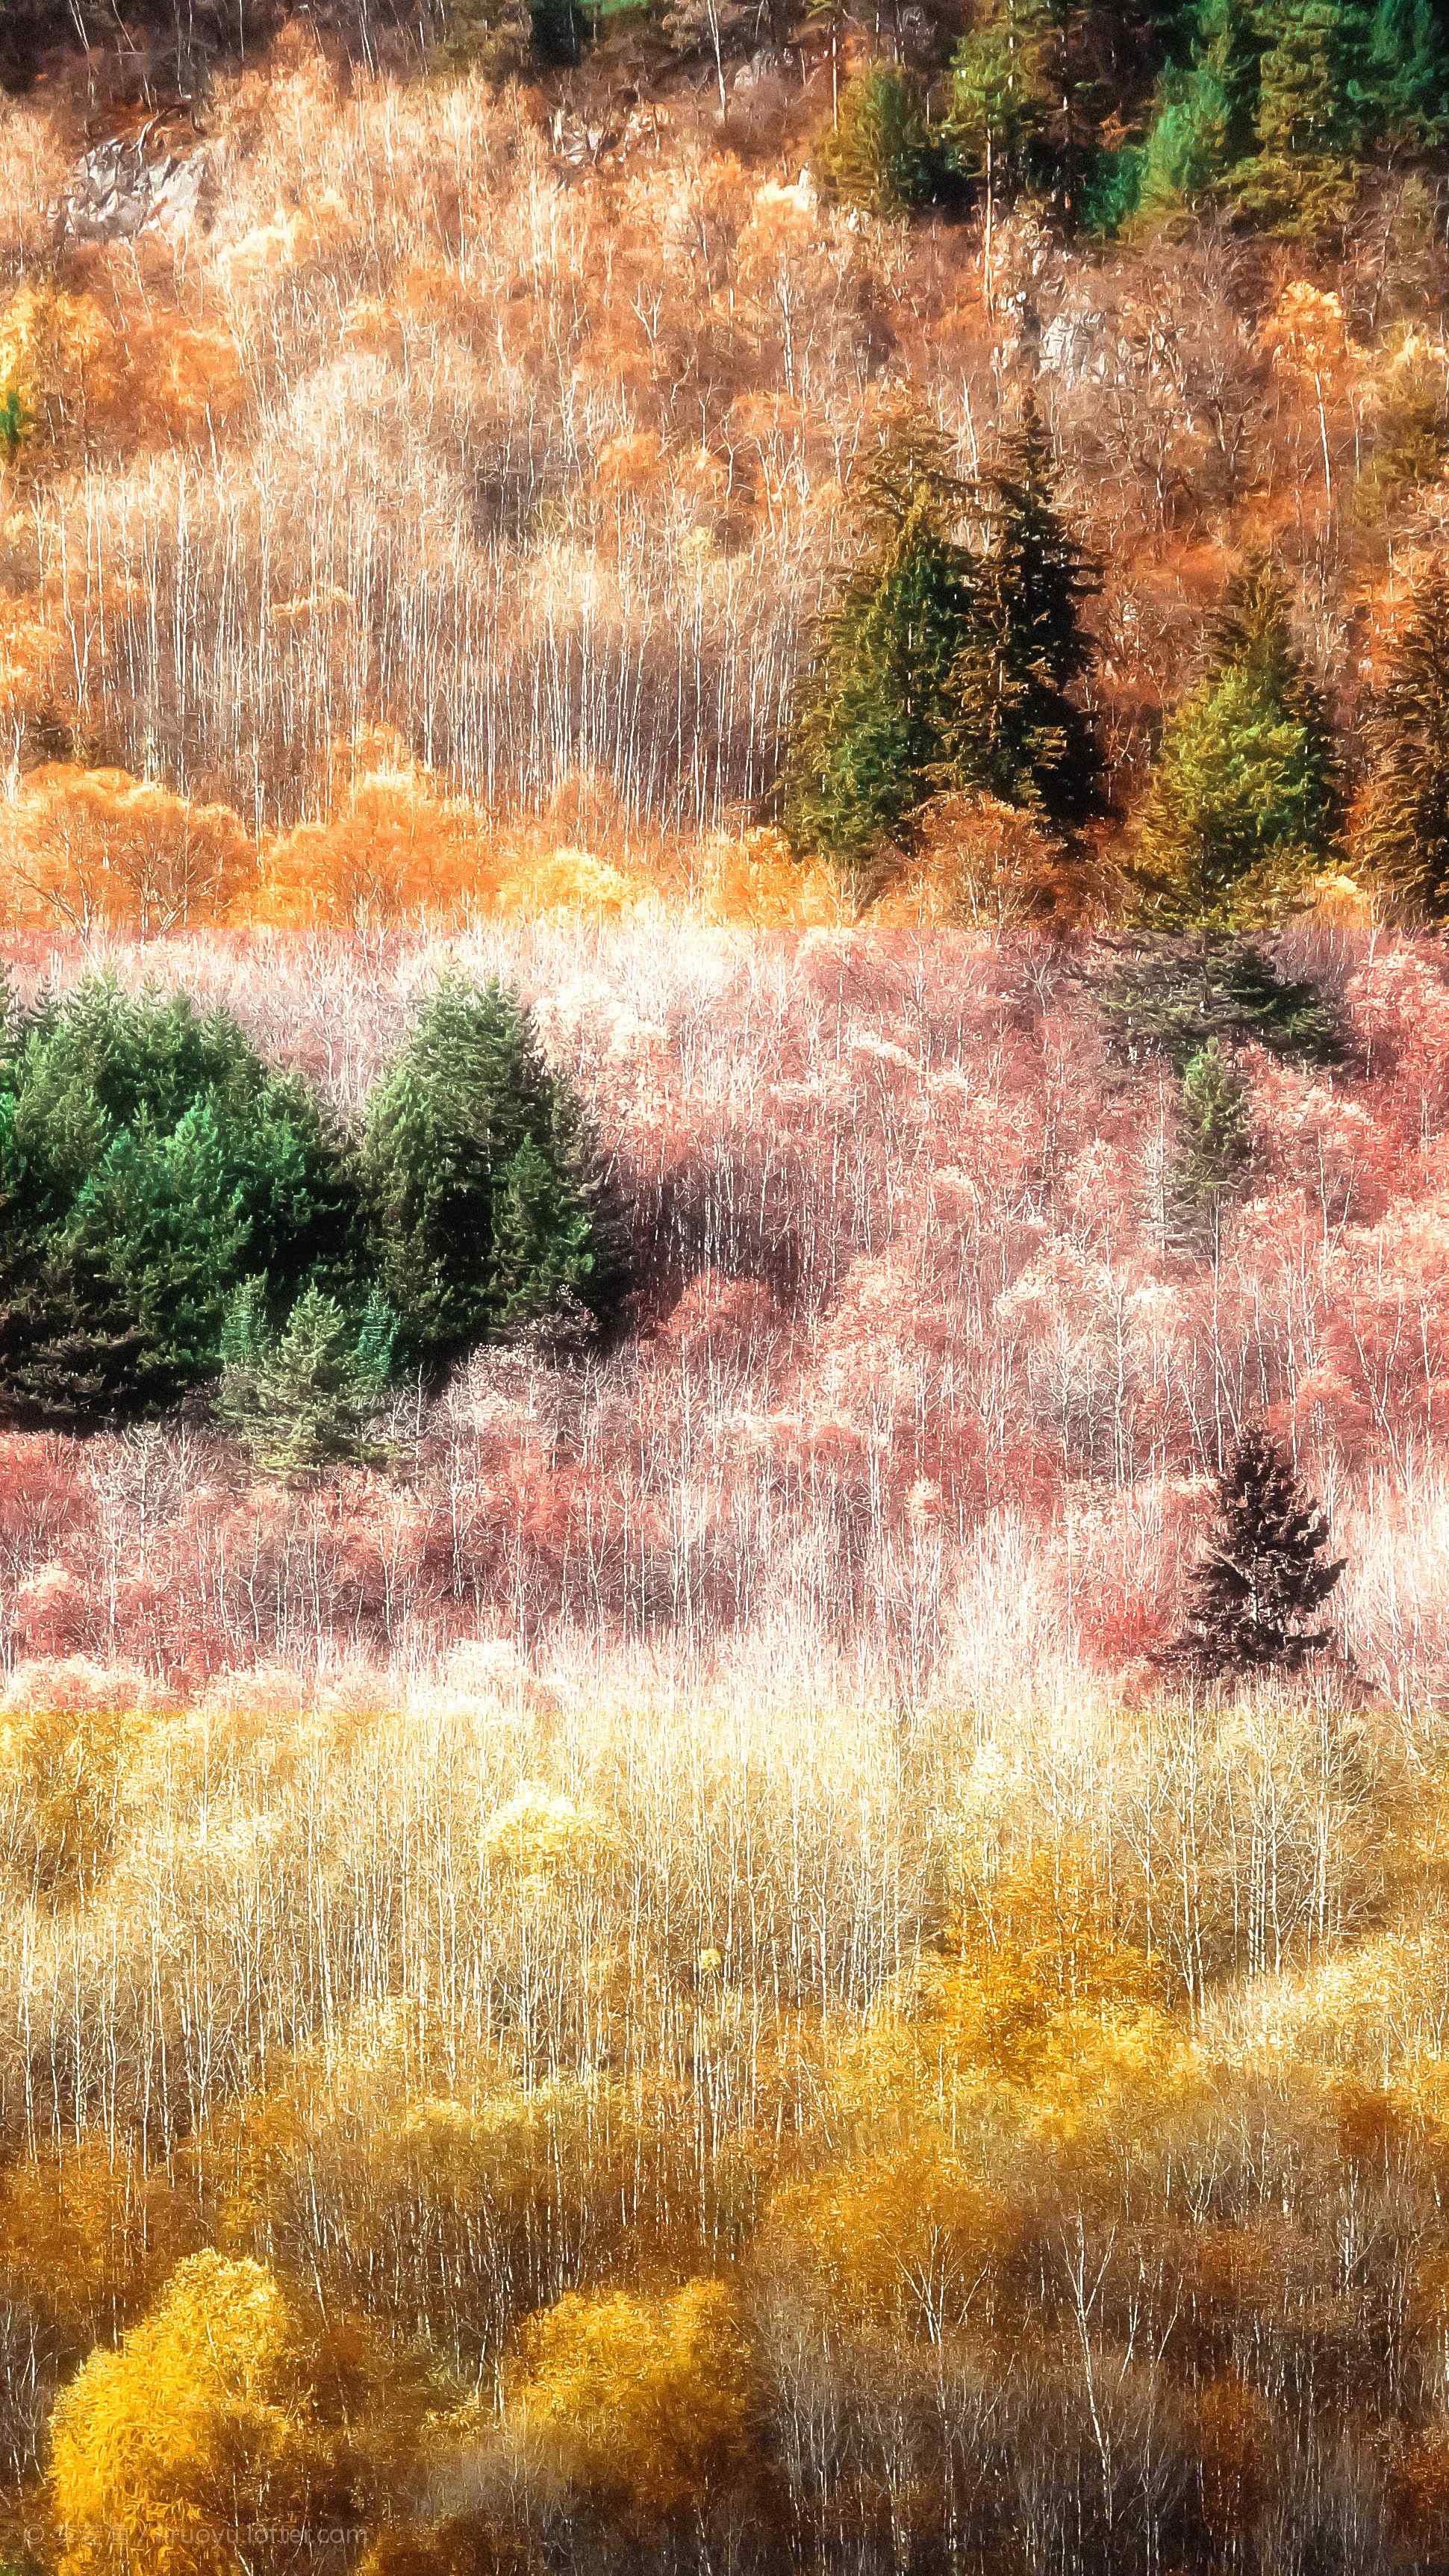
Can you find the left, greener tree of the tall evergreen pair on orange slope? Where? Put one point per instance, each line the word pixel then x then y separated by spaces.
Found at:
pixel 874 715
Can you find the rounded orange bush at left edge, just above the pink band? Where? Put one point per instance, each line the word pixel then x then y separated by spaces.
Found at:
pixel 107 851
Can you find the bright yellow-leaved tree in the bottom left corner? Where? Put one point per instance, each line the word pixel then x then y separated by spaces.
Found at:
pixel 225 2436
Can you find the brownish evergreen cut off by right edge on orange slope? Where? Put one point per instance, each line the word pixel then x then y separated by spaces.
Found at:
pixel 1407 808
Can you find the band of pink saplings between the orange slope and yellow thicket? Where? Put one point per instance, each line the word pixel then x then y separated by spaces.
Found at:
pixel 902 1271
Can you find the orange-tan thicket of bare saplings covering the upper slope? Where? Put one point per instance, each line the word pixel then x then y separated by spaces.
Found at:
pixel 418 486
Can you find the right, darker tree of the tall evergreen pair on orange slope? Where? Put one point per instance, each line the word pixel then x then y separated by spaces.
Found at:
pixel 1015 730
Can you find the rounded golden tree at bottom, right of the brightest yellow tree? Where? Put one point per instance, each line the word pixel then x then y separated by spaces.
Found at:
pixel 647 2402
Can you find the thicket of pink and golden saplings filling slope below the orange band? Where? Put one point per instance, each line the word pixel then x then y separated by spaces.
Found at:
pixel 660 1980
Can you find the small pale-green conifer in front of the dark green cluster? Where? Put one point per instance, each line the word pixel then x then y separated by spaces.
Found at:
pixel 310 1395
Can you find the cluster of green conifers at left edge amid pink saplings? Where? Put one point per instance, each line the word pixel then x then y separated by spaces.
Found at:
pixel 176 1215
